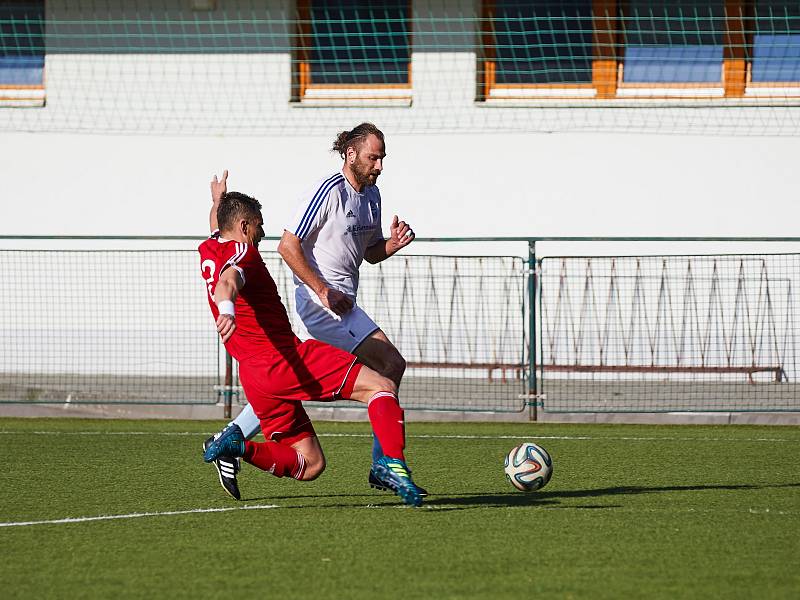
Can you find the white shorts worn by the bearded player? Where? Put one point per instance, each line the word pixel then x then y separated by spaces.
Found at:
pixel 345 331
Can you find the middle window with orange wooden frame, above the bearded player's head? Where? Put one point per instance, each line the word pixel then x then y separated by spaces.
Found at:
pixel 350 51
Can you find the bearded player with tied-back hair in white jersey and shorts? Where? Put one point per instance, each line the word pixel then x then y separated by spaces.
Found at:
pixel 336 226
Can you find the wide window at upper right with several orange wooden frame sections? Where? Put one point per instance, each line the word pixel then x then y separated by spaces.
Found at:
pixel 648 49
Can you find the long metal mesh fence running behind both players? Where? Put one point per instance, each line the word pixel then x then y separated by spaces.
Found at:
pixel 479 333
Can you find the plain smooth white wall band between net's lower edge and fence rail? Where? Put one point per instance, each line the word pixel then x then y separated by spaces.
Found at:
pixel 445 185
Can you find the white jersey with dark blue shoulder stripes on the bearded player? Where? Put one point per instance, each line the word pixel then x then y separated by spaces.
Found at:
pixel 336 224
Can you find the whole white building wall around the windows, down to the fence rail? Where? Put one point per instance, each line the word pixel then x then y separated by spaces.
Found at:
pixel 128 141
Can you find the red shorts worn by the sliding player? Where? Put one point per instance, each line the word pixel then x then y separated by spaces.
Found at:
pixel 276 384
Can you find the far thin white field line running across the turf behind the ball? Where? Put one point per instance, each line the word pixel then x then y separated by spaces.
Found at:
pixel 434 436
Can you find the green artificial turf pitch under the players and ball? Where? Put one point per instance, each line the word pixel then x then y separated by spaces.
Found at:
pixel 631 511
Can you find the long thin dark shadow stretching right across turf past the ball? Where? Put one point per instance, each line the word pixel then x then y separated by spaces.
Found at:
pixel 554 497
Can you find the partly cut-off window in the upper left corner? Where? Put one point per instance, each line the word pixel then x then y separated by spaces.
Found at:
pixel 21 53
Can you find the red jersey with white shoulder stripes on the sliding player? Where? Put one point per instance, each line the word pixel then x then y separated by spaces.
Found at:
pixel 262 324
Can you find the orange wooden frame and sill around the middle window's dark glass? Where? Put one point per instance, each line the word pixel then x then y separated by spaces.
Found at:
pixel 305 91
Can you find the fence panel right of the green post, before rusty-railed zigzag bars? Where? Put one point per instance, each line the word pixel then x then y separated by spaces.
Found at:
pixel 669 333
